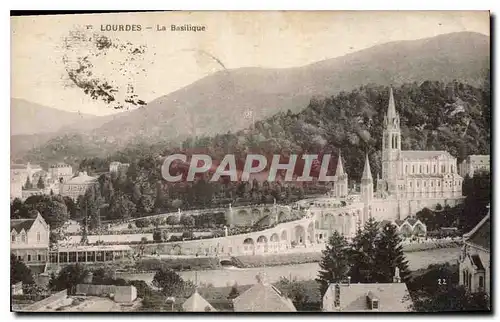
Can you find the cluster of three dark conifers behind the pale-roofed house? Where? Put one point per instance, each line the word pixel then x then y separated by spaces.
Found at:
pixel 371 257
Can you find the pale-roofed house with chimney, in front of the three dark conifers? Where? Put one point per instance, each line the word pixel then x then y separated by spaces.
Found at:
pixel 368 297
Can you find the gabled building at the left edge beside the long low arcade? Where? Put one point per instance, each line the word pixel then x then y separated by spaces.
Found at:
pixel 29 240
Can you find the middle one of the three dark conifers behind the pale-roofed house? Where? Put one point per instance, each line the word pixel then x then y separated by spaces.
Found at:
pixel 364 252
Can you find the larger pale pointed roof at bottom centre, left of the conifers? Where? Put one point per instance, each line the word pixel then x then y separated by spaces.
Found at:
pixel 263 297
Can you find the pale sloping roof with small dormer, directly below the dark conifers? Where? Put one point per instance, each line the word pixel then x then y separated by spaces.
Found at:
pixel 392 297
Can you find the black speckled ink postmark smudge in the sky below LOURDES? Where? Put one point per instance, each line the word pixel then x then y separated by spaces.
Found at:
pixel 103 68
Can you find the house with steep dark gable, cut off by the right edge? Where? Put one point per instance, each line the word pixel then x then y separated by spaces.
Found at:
pixel 474 262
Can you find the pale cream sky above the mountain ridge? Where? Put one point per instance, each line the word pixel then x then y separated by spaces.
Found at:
pixel 174 59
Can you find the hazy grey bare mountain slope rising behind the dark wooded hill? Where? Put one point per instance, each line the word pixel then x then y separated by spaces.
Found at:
pixel 217 103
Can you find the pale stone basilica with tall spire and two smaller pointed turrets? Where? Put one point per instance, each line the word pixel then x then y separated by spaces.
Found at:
pixel 410 181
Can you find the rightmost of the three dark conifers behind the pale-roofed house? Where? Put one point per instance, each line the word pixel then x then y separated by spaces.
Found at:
pixel 389 255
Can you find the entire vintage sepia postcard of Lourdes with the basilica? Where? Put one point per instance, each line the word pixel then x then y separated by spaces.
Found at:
pixel 320 161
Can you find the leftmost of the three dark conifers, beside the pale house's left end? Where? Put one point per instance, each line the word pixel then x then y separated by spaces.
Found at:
pixel 334 264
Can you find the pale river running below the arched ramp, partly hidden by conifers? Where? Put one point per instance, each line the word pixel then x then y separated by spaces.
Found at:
pixel 308 271
